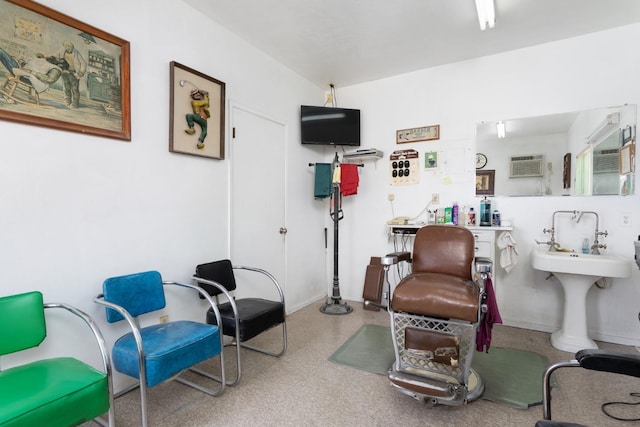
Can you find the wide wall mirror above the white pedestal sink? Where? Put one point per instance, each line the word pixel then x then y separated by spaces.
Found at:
pixel 583 153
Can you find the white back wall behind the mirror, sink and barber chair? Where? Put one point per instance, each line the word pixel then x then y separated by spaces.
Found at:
pixel 576 74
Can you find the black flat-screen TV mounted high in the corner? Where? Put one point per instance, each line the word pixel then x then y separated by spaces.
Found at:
pixel 330 125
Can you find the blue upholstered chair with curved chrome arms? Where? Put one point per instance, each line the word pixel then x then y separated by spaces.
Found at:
pixel 159 352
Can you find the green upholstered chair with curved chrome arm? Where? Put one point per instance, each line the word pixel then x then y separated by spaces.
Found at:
pixel 60 391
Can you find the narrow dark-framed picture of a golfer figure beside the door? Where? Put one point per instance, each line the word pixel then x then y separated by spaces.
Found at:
pixel 197 113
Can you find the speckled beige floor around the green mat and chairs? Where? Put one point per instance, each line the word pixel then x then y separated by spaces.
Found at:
pixel 304 388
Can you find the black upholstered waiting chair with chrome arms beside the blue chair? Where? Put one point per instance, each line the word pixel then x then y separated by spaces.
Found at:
pixel 243 318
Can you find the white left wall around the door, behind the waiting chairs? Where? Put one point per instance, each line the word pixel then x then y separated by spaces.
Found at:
pixel 76 209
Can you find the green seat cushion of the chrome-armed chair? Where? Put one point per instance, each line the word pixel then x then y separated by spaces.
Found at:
pixel 52 392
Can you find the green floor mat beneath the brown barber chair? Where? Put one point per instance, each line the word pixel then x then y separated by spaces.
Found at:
pixel 511 377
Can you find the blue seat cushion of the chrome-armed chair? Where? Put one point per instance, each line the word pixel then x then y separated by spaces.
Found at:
pixel 169 349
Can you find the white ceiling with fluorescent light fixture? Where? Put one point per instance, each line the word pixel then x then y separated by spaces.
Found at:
pixel 347 42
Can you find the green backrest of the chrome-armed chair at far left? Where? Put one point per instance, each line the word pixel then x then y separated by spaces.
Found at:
pixel 22 322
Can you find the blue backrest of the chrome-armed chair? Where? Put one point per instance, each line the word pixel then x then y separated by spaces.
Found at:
pixel 137 293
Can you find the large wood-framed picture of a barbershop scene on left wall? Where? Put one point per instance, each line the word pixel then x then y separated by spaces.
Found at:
pixel 61 73
